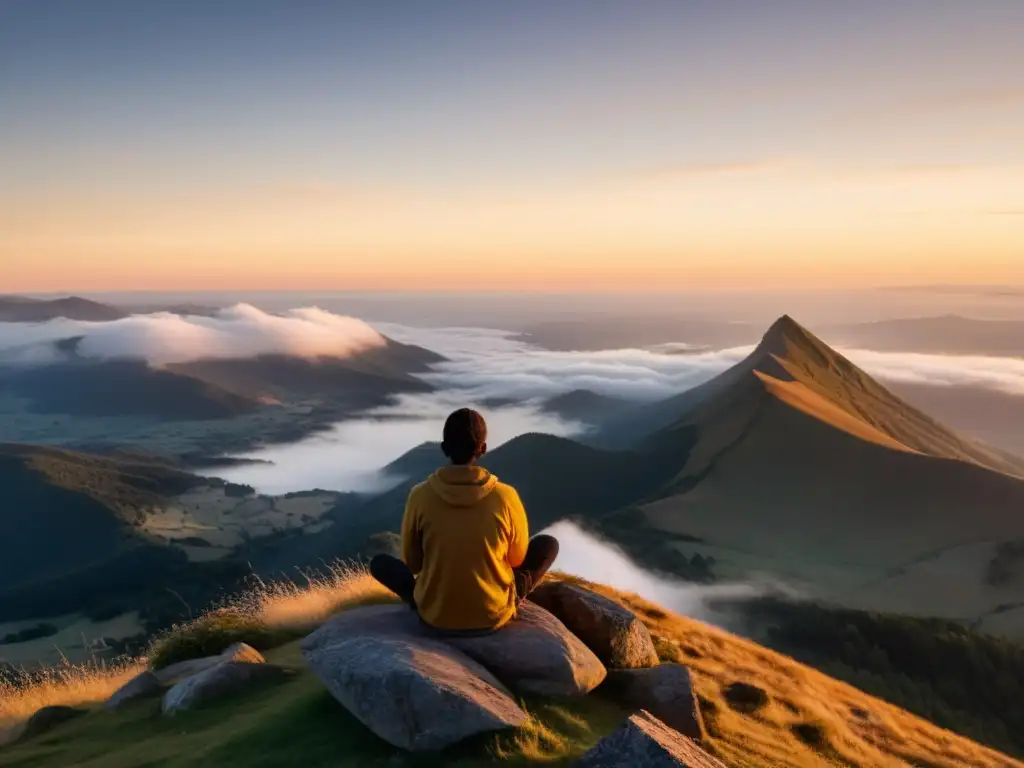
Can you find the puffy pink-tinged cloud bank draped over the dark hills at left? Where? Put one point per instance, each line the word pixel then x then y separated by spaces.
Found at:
pixel 241 331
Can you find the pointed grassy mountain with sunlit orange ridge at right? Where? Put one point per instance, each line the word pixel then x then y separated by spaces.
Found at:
pixel 800 465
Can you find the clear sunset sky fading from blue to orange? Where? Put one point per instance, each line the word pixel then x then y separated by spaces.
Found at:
pixel 579 146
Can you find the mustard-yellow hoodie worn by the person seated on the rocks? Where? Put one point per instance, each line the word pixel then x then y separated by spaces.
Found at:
pixel 462 535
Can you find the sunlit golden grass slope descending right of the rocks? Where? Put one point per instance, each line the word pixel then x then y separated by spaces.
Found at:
pixel 809 720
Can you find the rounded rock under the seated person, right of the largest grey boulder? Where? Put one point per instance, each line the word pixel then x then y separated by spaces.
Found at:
pixel 536 654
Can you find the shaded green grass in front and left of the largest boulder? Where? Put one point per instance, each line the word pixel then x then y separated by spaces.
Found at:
pixel 295 723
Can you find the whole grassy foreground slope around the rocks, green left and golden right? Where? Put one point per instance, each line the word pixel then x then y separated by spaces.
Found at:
pixel 298 723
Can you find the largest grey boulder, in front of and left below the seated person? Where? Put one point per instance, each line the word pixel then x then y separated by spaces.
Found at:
pixel 413 691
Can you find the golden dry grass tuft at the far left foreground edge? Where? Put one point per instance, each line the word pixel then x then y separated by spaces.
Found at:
pixel 68 686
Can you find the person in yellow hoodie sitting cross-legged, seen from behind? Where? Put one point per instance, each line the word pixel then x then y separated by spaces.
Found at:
pixel 467 558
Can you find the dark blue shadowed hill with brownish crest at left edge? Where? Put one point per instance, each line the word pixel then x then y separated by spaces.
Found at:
pixel 70 529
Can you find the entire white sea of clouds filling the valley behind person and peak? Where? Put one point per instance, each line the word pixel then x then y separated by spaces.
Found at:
pixel 506 376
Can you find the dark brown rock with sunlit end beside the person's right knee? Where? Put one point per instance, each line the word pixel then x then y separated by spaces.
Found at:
pixel 616 634
